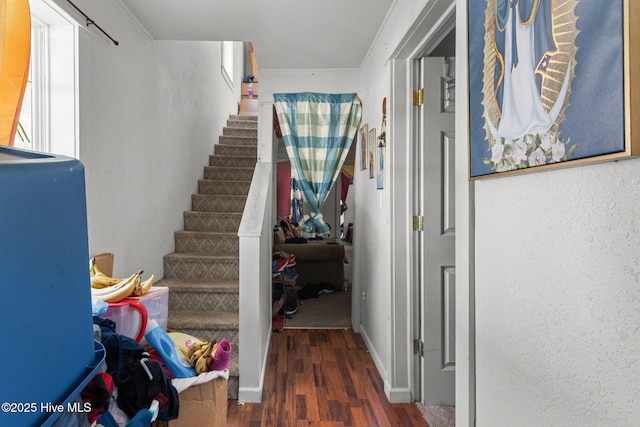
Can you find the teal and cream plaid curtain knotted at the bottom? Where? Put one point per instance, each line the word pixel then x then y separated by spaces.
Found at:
pixel 317 130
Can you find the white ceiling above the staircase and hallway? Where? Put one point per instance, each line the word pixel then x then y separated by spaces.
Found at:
pixel 286 34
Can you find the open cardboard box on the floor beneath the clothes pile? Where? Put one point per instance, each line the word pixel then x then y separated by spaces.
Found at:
pixel 204 405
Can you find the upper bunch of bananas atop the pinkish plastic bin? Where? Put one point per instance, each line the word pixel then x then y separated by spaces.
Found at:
pixel 111 289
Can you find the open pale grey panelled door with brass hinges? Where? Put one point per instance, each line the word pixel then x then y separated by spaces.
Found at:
pixel 435 243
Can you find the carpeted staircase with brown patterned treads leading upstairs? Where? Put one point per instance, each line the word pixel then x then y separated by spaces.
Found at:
pixel 202 273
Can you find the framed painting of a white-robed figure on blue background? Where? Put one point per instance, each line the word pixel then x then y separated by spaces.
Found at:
pixel 552 83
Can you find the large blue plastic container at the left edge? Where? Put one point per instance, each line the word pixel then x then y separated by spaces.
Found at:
pixel 48 352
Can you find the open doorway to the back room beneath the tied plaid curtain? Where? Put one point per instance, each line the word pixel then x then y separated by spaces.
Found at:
pixel 321 297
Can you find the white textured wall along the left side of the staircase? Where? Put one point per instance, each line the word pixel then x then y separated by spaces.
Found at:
pixel 149 113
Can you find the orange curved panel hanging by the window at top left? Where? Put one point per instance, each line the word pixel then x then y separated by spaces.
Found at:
pixel 15 48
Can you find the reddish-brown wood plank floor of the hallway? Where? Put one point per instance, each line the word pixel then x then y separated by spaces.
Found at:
pixel 324 378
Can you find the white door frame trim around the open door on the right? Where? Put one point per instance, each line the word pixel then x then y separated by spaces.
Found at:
pixel 429 28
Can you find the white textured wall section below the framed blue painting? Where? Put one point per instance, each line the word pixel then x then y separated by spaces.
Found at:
pixel 557 297
